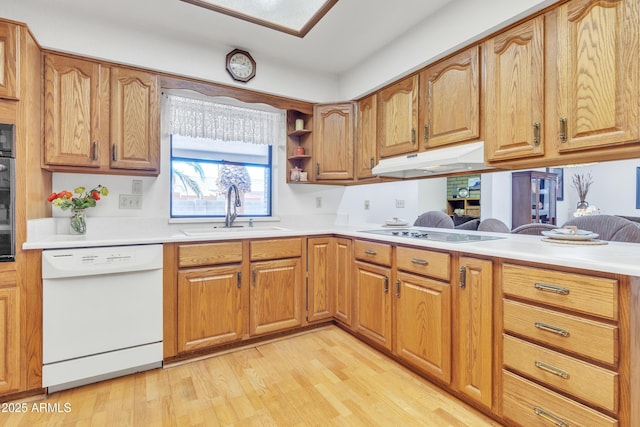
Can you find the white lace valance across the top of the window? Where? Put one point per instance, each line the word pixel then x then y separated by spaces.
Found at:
pixel 198 118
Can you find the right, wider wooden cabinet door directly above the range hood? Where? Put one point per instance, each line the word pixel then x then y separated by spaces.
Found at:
pixel 450 100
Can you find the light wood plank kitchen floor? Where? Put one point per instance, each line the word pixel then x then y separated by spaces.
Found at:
pixel 320 378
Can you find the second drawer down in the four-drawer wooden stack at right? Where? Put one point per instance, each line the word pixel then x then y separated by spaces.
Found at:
pixel 572 333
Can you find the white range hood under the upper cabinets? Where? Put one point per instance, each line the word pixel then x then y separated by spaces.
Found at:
pixel 454 159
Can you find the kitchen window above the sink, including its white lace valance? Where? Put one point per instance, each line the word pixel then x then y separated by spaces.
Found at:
pixel 215 144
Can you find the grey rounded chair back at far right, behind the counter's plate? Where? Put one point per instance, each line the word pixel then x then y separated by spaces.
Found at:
pixel 608 227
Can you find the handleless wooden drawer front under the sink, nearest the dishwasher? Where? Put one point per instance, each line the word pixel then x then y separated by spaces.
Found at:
pixel 209 254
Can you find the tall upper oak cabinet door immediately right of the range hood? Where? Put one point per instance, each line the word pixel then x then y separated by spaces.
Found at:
pixel 514 94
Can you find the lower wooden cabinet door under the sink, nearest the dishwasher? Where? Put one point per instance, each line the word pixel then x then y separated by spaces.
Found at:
pixel 210 307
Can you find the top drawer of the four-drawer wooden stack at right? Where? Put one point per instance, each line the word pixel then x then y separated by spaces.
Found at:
pixel 577 292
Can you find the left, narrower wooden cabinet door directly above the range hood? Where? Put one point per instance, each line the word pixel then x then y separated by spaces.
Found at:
pixel 398 118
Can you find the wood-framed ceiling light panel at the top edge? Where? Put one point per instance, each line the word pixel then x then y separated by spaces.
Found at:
pixel 295 17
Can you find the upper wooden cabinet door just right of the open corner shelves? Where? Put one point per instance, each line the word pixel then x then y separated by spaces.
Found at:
pixel 333 141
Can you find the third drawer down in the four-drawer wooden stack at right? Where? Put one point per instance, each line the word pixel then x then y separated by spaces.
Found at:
pixel 583 380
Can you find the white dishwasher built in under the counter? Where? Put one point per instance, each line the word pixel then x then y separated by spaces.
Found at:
pixel 101 313
